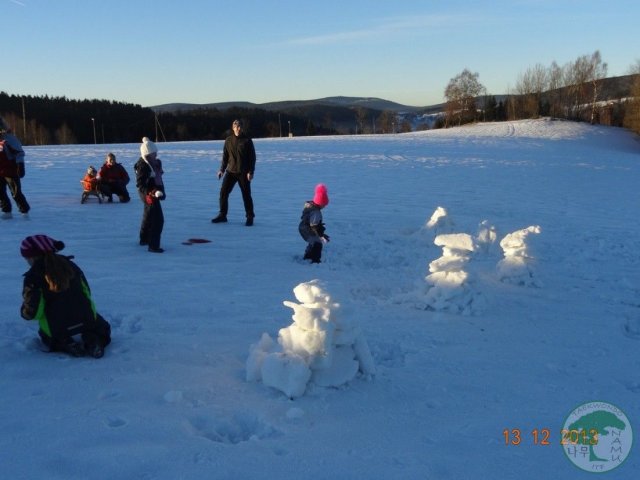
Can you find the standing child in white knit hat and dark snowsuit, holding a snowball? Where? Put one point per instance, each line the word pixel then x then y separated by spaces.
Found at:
pixel 150 187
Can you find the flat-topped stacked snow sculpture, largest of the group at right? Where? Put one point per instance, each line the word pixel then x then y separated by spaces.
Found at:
pixel 449 288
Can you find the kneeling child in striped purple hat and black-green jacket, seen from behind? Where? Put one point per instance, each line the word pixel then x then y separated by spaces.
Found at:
pixel 56 293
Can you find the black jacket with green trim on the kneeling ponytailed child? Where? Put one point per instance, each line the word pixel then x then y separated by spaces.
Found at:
pixel 61 314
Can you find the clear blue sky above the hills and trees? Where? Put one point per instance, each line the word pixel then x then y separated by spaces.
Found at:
pixel 200 51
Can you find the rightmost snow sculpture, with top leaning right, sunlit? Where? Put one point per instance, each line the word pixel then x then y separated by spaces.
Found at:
pixel 516 266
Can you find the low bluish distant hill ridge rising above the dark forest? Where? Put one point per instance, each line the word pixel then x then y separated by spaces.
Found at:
pixel 369 103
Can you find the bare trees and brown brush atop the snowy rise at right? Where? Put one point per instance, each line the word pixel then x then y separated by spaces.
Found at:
pixel 578 90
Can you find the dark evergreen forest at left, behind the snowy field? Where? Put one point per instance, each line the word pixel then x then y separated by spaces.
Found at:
pixel 58 120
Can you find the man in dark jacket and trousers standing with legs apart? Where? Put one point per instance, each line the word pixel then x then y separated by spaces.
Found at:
pixel 238 165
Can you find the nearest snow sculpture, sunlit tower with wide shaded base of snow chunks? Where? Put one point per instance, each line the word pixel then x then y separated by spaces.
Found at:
pixel 321 346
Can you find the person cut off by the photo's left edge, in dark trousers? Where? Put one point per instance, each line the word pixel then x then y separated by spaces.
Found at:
pixel 11 171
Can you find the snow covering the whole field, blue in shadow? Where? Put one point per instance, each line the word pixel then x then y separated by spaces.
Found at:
pixel 536 229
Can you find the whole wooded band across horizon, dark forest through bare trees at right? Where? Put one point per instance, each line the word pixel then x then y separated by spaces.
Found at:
pixel 578 90
